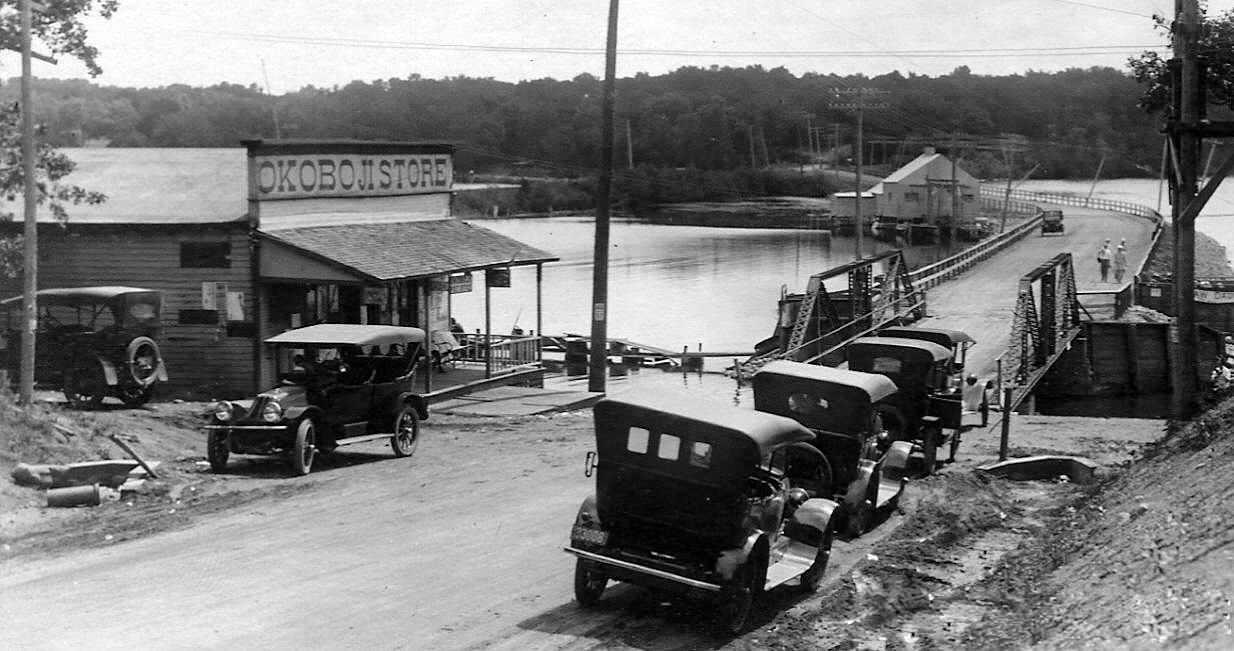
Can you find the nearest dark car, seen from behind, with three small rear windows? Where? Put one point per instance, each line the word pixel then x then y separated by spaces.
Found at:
pixel 699 501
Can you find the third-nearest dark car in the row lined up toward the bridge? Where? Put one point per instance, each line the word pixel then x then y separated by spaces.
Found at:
pixel 926 410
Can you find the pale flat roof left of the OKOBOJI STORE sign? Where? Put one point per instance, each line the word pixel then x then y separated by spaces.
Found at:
pixel 159 186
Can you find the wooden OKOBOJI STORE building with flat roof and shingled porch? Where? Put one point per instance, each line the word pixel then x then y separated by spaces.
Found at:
pixel 250 242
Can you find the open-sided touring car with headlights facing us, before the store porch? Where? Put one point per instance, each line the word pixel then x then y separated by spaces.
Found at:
pixel 344 384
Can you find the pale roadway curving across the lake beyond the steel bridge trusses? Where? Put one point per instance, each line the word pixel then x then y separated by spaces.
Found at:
pixel 983 301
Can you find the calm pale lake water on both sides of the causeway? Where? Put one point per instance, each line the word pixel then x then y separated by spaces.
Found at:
pixel 673 287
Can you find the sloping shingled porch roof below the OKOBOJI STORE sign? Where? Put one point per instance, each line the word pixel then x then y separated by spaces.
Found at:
pixel 410 250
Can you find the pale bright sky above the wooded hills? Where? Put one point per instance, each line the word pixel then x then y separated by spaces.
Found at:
pixel 287 45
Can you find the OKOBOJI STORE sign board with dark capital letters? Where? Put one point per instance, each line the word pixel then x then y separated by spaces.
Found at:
pixel 281 170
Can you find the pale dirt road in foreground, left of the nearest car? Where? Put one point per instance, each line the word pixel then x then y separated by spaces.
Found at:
pixel 457 548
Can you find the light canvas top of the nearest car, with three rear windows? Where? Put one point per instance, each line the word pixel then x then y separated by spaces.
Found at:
pixel 652 412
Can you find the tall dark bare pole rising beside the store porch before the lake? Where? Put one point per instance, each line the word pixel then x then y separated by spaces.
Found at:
pixel 598 367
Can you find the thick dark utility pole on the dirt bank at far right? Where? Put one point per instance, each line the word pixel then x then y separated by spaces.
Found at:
pixel 1186 113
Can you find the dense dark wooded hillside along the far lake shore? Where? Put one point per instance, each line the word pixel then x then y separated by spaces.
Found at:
pixel 708 119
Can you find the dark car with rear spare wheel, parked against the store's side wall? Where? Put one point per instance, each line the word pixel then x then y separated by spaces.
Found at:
pixel 92 343
